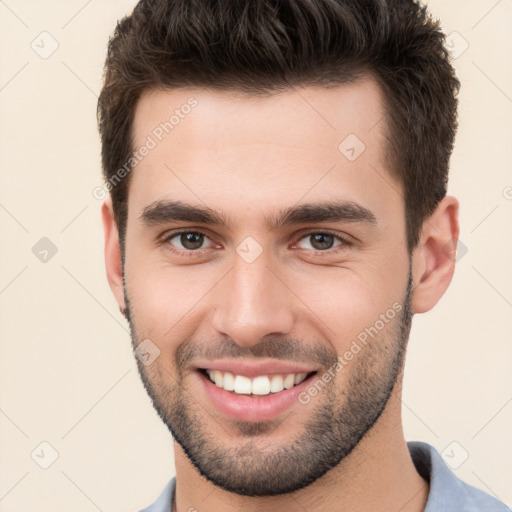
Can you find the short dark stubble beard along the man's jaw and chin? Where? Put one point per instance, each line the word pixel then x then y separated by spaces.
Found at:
pixel 338 421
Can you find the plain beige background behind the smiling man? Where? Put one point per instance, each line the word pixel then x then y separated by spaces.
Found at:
pixel 67 373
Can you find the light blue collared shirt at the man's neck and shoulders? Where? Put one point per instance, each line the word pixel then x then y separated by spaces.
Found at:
pixel 447 493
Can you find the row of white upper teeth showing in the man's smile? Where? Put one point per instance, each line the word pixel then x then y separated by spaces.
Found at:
pixel 261 385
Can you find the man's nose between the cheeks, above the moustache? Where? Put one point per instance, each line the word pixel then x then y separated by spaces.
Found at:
pixel 253 303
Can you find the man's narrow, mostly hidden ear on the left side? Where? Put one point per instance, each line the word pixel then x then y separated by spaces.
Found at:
pixel 113 261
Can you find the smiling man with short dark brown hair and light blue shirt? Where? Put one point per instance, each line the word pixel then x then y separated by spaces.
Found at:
pixel 278 212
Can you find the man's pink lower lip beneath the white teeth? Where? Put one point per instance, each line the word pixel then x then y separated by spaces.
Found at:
pixel 250 407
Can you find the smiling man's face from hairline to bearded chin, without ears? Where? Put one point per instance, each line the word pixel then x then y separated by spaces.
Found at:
pixel 266 238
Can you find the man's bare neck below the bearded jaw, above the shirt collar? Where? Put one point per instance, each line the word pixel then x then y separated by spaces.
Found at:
pixel 377 475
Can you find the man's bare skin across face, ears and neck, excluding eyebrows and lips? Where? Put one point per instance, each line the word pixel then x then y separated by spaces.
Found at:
pixel 246 158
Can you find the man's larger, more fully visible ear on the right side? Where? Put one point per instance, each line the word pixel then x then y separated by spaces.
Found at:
pixel 434 256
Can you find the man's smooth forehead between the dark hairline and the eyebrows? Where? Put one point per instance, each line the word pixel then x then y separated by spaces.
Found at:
pixel 233 150
